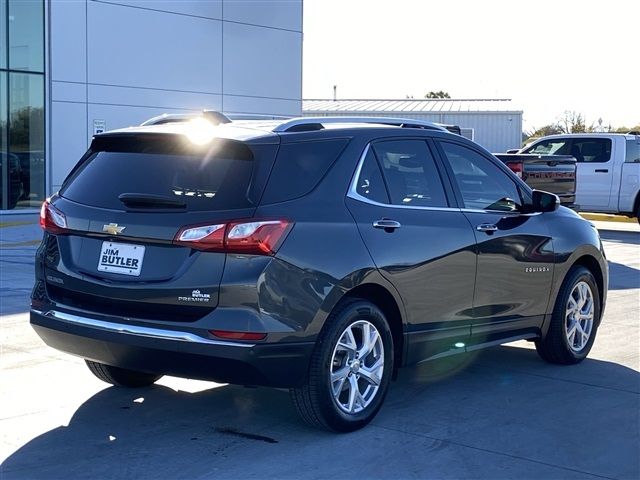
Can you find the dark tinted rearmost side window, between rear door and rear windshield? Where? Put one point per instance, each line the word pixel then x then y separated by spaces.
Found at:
pixel 299 168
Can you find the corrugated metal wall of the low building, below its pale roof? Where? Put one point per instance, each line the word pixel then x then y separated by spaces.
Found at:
pixel 495 131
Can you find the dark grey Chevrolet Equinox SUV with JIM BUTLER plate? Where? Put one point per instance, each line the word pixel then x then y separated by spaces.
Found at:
pixel 315 254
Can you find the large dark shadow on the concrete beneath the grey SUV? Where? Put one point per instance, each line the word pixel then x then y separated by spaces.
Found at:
pixel 440 415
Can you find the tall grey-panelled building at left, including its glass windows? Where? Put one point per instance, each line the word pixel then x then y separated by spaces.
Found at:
pixel 71 68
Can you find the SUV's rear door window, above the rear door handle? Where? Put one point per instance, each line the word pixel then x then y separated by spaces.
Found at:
pixel 410 173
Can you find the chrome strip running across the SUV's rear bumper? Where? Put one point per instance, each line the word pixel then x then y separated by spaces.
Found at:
pixel 138 331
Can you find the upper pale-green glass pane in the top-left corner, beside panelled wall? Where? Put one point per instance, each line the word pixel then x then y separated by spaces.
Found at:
pixel 26 35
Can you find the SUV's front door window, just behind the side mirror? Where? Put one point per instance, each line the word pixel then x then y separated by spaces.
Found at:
pixel 483 185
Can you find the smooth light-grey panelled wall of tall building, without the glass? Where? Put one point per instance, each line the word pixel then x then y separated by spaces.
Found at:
pixel 124 61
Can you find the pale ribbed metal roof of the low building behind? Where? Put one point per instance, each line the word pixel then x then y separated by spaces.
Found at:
pixel 439 105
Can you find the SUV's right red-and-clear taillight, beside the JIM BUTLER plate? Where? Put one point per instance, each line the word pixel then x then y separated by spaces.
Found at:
pixel 260 237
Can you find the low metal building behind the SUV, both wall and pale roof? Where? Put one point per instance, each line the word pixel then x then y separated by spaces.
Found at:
pixel 495 124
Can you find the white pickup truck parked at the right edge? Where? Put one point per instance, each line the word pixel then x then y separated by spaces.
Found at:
pixel 608 174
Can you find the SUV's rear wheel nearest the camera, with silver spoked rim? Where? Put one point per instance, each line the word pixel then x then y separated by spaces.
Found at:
pixel 340 351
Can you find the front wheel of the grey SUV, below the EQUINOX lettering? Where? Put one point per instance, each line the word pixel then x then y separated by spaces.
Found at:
pixel 569 341
